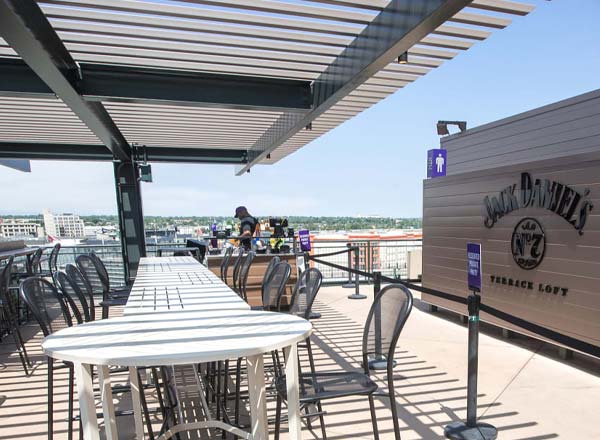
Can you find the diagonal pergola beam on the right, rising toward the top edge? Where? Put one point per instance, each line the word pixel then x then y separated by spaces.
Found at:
pixel 399 26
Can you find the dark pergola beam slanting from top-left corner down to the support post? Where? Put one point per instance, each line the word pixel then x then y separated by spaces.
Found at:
pixel 26 29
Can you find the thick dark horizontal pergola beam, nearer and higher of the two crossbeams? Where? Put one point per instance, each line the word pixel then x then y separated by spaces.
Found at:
pixel 143 85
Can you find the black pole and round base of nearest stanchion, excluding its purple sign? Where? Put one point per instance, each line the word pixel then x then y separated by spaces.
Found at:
pixel 472 430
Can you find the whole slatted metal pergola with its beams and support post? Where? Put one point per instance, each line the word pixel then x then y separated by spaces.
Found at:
pixel 241 82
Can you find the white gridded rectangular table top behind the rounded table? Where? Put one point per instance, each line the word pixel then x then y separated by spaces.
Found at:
pixel 169 284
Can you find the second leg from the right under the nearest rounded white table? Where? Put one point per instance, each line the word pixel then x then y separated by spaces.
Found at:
pixel 258 398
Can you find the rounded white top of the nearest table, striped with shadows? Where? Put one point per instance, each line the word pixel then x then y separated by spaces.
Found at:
pixel 176 338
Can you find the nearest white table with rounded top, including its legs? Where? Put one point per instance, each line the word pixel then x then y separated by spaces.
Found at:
pixel 180 338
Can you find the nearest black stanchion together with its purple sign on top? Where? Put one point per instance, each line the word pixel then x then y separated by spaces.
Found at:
pixel 472 430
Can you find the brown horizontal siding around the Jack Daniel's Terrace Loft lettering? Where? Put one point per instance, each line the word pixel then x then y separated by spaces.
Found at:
pixel 453 214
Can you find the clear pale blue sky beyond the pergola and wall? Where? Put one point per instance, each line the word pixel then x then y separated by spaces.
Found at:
pixel 373 164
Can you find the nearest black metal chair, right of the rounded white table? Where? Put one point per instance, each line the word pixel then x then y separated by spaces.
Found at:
pixel 387 316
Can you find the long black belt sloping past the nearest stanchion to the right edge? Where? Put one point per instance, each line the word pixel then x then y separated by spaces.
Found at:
pixel 547 333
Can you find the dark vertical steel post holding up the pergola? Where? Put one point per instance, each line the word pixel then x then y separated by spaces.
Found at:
pixel 131 217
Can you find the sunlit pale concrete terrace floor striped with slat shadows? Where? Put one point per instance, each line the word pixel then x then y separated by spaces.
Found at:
pixel 525 390
